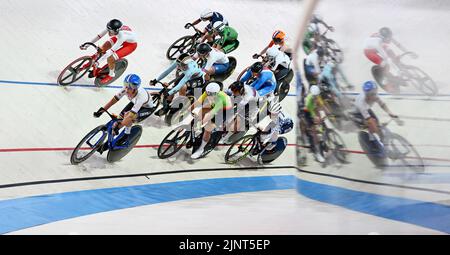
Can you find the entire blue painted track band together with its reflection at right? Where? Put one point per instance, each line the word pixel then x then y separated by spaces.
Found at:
pixel 21 213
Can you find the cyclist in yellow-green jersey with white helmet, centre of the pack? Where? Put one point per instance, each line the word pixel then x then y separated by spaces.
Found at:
pixel 213 101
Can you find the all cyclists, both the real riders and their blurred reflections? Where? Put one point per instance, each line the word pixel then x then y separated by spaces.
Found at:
pixel 255 86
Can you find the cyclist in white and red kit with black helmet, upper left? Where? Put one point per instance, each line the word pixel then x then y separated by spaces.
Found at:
pixel 122 42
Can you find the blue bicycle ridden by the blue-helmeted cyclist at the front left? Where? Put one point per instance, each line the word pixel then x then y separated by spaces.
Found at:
pixel 115 144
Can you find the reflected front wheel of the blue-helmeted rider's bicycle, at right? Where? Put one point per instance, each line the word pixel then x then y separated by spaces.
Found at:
pixel 400 149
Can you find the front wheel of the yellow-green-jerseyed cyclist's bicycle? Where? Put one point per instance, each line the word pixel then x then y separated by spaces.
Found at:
pixel 173 142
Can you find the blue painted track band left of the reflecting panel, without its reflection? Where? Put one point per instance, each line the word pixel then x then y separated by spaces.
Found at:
pixel 21 213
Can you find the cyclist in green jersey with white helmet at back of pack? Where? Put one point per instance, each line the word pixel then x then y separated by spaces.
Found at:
pixel 227 41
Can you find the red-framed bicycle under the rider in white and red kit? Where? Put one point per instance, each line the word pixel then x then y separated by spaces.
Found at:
pixel 80 66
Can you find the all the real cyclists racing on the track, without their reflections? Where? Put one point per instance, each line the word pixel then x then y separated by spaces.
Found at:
pixel 216 105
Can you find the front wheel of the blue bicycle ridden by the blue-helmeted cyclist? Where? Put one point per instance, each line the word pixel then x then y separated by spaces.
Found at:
pixel 93 140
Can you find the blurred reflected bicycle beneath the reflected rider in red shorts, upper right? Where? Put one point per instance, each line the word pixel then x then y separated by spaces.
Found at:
pixel 408 74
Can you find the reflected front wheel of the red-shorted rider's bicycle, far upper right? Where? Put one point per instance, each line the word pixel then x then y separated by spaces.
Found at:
pixel 421 81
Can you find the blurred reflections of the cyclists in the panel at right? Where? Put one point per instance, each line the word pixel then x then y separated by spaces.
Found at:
pixel 320 72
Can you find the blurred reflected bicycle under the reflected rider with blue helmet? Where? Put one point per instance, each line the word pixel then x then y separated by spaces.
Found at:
pixel 395 147
